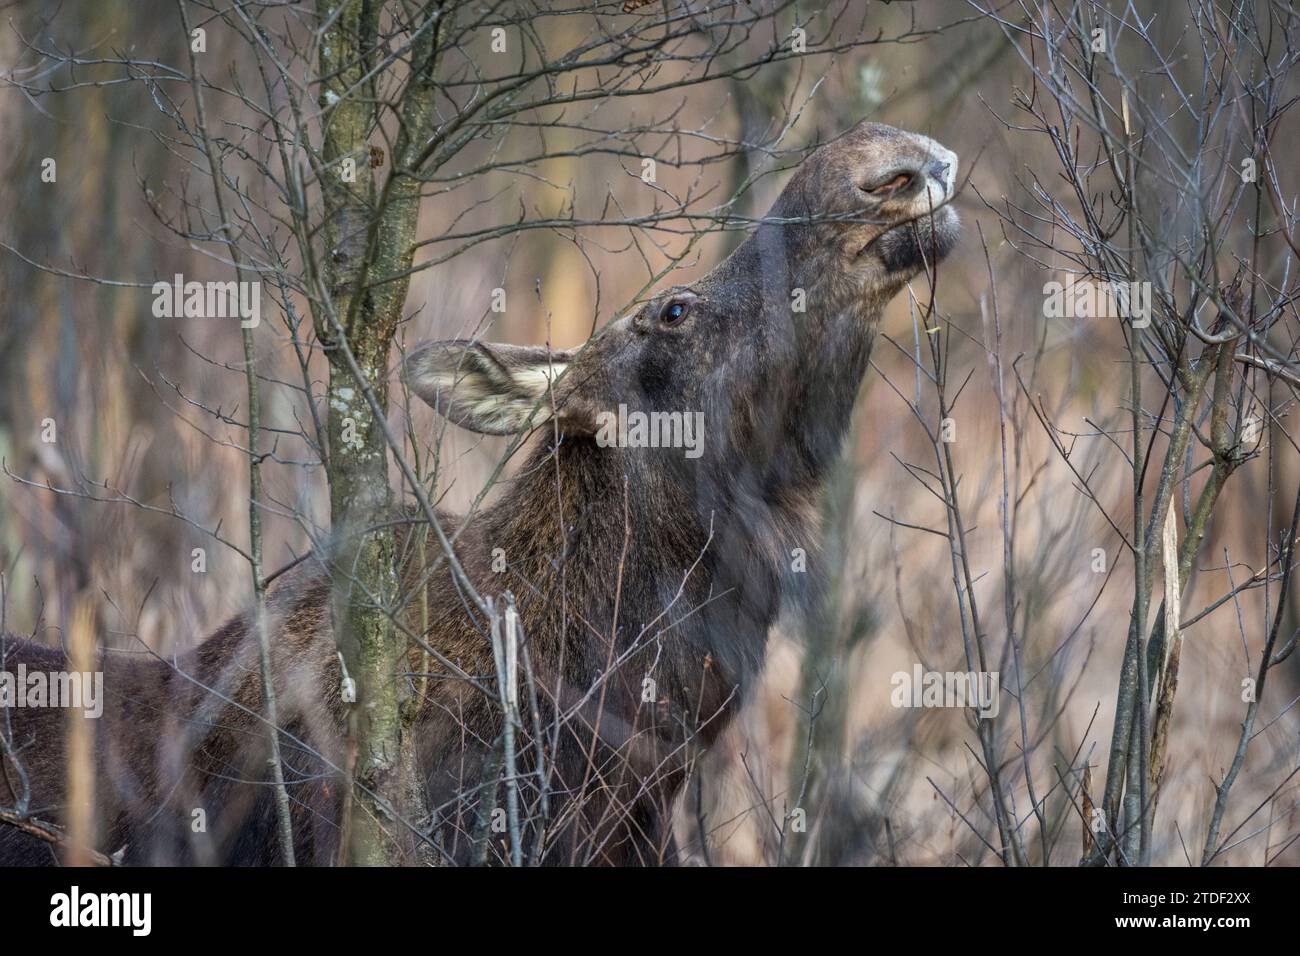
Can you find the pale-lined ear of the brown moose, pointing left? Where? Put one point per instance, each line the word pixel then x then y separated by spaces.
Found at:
pixel 495 390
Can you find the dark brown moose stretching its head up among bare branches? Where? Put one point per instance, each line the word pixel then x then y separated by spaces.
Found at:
pixel 647 579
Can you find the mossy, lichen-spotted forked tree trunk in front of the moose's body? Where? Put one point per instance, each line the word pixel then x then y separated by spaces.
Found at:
pixel 371 215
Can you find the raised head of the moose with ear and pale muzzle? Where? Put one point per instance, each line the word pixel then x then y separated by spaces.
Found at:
pixel 765 354
